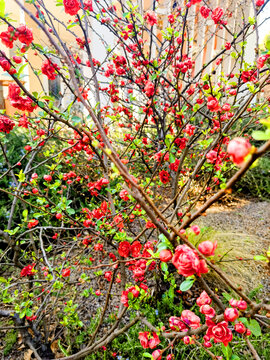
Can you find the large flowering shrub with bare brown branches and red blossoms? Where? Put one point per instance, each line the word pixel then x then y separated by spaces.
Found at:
pixel 101 207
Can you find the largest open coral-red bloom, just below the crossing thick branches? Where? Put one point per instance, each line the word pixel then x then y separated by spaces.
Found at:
pixel 187 261
